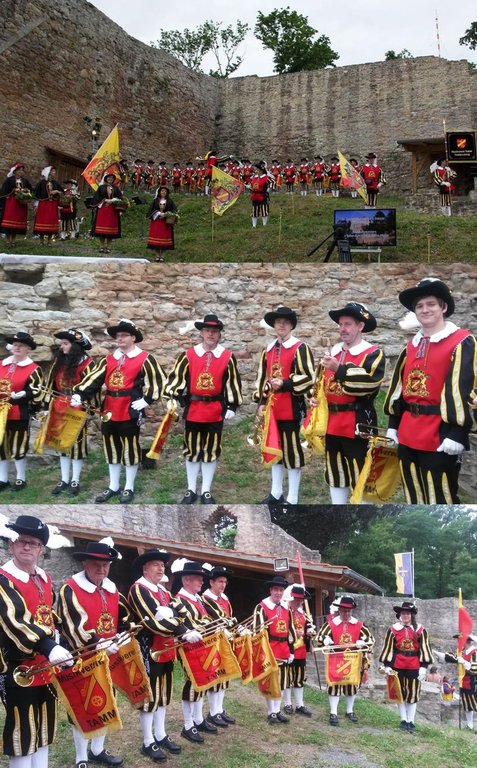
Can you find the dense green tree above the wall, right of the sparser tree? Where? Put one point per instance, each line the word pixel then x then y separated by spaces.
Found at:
pixel 293 41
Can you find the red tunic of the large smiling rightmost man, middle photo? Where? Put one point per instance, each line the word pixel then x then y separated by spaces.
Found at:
pixel 422 383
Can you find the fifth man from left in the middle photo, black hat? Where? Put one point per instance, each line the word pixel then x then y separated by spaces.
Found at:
pixel 285 374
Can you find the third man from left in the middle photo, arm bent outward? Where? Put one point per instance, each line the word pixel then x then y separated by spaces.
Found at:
pixel 133 380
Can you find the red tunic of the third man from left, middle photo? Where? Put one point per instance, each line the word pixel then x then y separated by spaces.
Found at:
pixel 121 378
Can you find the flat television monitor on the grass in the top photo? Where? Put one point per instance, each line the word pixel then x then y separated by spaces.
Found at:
pixel 373 227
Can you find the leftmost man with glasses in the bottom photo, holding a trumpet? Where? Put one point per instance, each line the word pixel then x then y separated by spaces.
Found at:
pixel 28 630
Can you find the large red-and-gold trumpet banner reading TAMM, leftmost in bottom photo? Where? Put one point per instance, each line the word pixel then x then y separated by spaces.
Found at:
pixel 86 691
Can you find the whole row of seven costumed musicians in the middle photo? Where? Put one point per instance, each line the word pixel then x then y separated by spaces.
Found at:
pixel 429 401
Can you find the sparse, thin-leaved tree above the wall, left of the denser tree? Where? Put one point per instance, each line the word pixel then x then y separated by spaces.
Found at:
pixel 191 46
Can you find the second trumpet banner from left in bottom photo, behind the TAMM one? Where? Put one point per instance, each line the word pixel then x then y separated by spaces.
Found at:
pixel 129 673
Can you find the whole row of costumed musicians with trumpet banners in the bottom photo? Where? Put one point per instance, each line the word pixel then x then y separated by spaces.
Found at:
pixel 48 649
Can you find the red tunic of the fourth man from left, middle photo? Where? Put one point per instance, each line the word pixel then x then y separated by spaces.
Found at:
pixel 206 375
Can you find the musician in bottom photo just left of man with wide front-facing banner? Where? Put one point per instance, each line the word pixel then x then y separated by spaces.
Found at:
pixel 296 595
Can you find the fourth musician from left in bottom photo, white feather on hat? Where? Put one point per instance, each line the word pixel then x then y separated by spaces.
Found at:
pixel 189 606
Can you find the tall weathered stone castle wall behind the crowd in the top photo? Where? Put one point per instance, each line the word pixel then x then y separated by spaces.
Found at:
pixel 63 60
